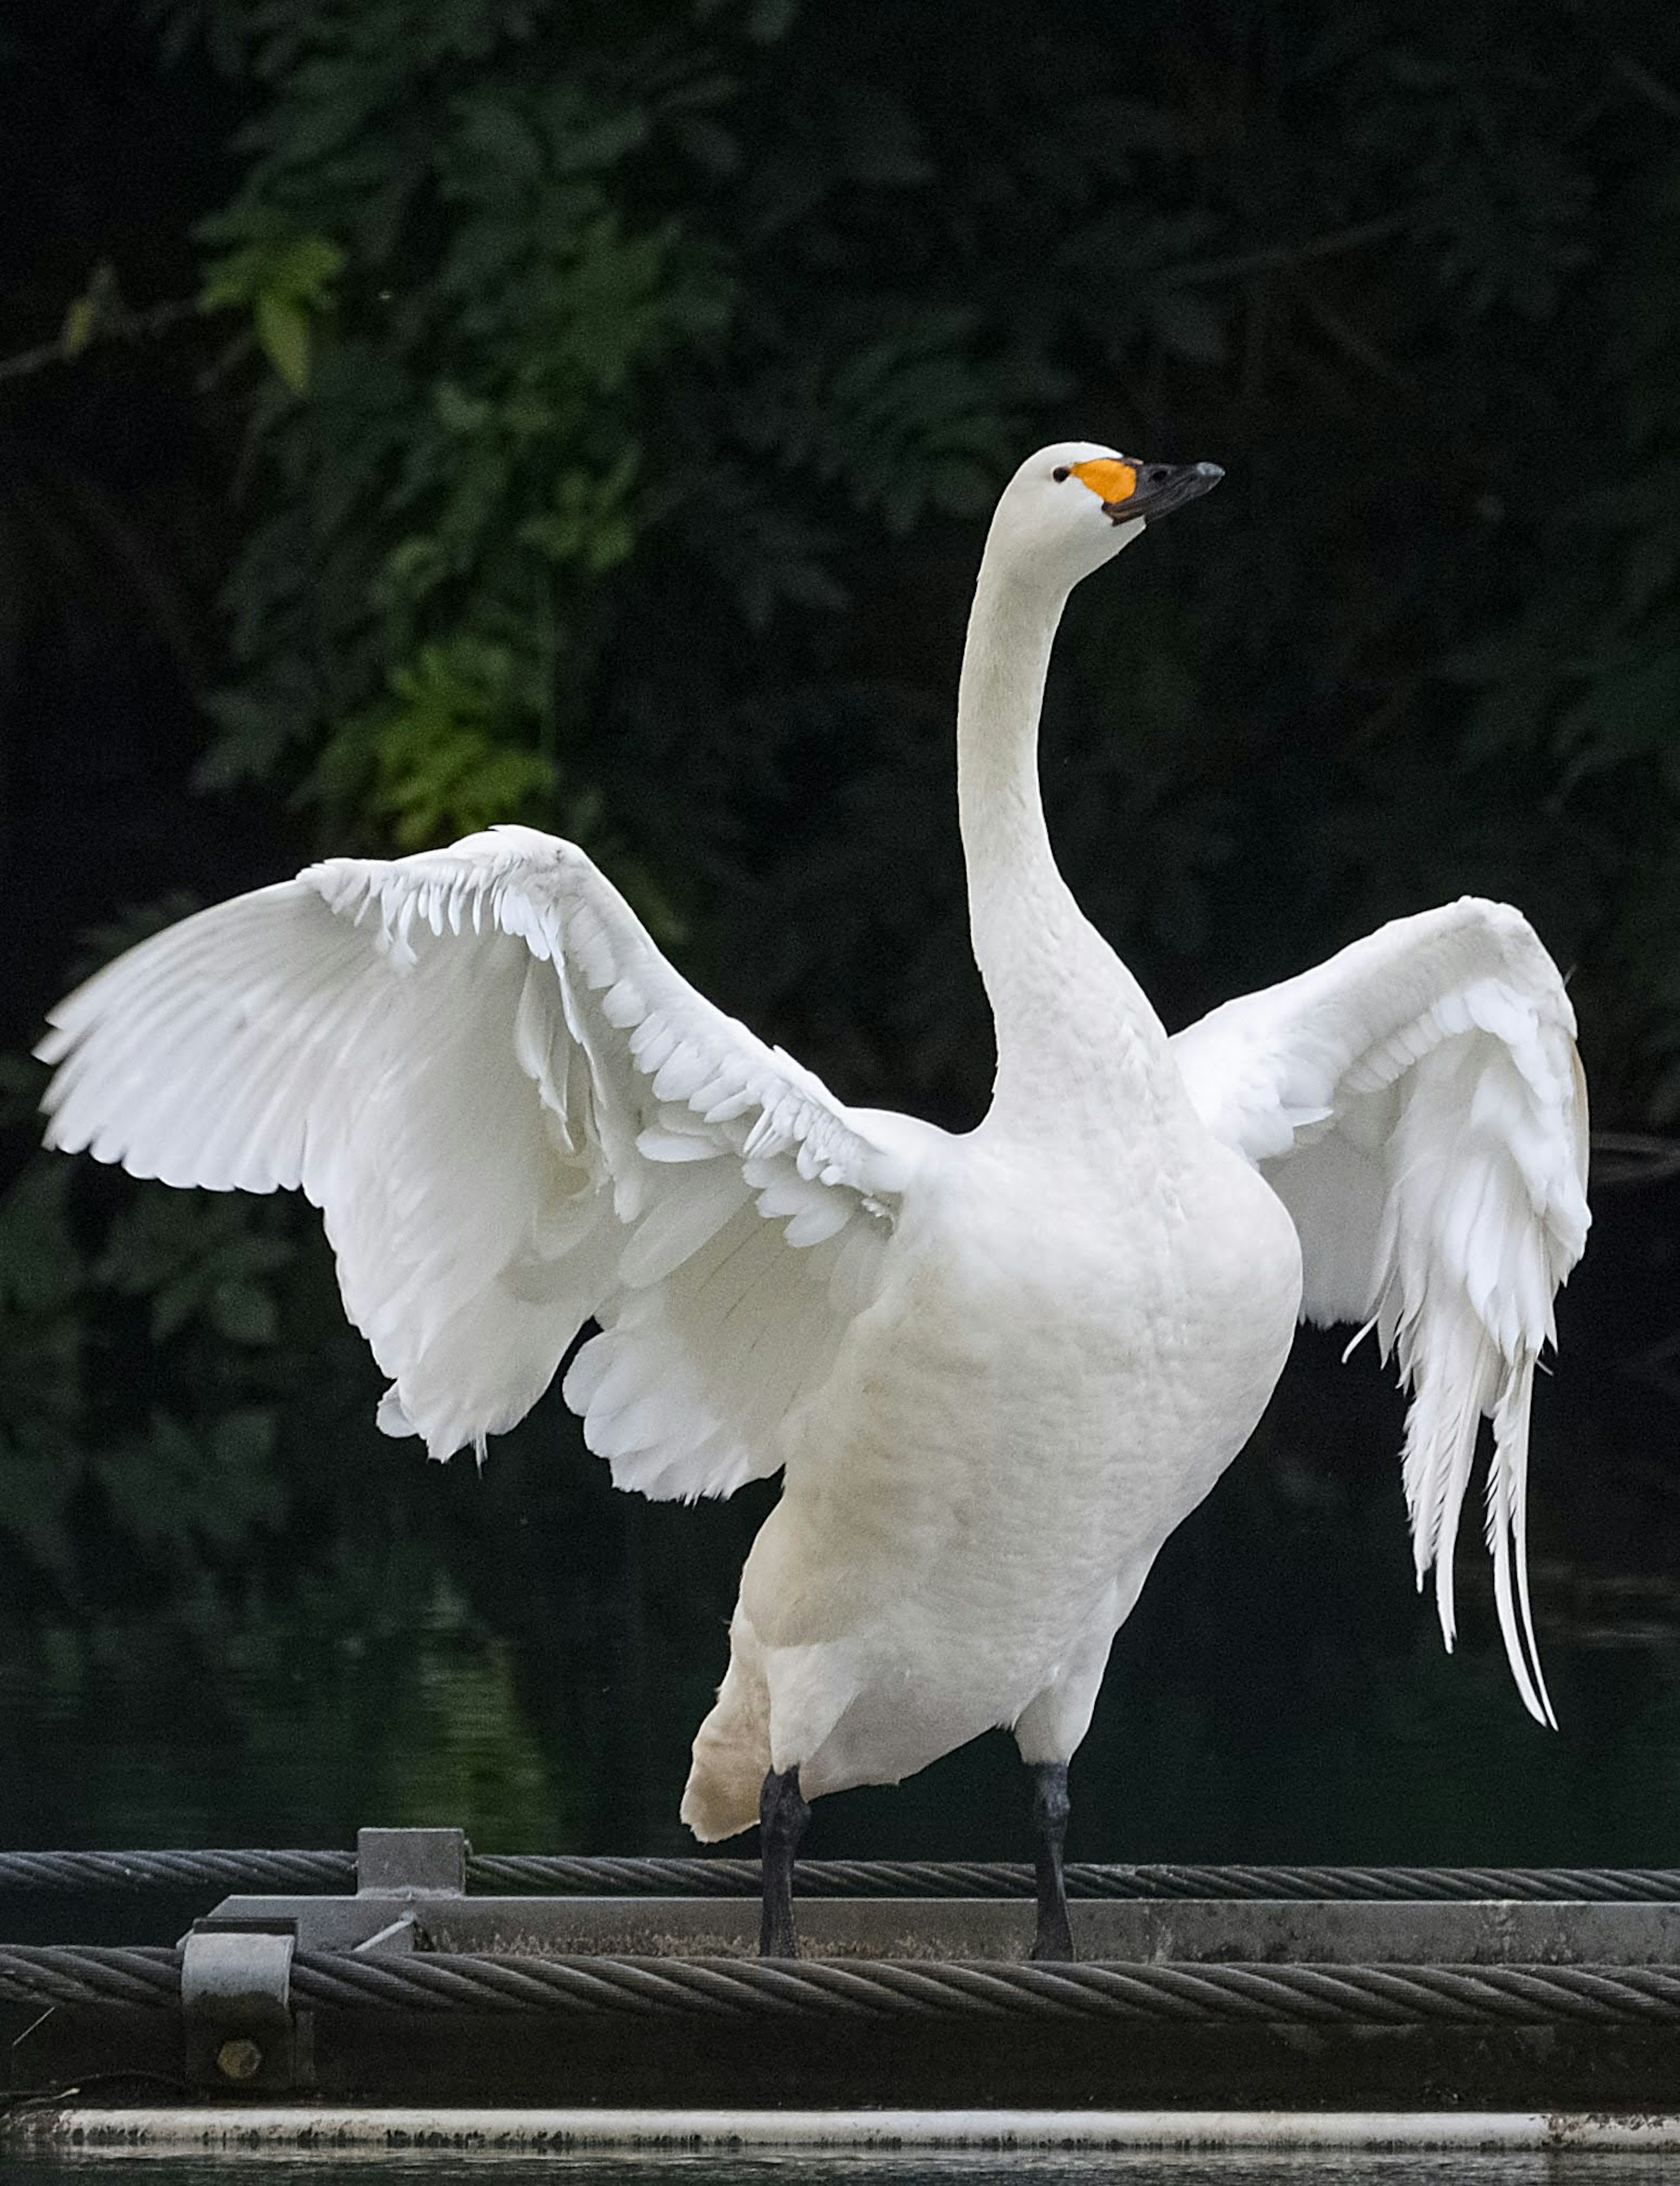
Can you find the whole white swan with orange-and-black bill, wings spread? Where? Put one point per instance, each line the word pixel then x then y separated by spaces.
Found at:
pixel 994 1370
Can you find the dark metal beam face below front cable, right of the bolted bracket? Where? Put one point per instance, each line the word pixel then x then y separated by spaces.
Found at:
pixel 964 2062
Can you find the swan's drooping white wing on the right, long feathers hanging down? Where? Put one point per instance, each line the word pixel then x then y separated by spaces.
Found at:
pixel 1421 1109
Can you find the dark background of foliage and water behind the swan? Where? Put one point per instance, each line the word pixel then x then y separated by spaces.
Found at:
pixel 430 412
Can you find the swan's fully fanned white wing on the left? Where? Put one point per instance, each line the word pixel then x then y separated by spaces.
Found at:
pixel 513 1116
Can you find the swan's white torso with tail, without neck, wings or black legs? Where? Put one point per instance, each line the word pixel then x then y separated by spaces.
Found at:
pixel 909 1595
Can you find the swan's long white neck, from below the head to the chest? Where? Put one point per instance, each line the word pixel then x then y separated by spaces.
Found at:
pixel 1075 1031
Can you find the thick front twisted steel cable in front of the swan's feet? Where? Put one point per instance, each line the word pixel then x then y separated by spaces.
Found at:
pixel 885 1990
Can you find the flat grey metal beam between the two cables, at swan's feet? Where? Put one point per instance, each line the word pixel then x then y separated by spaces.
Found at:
pixel 1139 1931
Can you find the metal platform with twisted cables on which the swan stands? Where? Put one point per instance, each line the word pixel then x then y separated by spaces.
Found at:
pixel 412 1993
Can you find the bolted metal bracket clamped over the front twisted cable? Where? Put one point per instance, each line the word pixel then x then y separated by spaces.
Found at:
pixel 242 2034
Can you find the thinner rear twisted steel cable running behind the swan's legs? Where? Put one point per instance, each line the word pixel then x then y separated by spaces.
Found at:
pixel 292 1872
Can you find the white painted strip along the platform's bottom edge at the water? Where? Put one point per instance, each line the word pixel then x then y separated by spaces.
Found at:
pixel 384 2130
